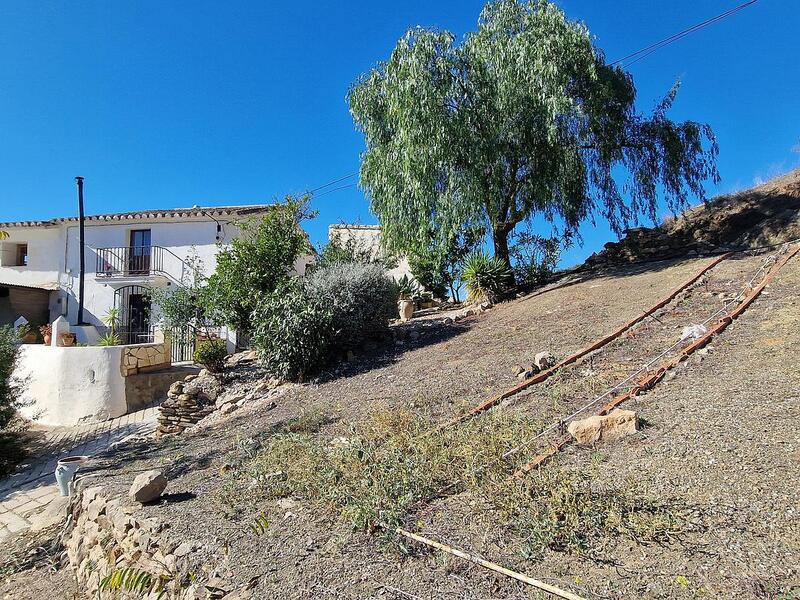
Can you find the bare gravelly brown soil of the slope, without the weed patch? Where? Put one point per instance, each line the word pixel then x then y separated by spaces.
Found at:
pixel 721 436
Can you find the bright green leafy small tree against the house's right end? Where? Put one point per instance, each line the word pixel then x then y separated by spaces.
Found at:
pixel 257 263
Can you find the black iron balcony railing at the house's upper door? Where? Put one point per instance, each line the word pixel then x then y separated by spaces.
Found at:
pixel 139 262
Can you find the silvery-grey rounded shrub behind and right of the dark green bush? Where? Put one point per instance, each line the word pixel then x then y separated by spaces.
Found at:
pixel 361 297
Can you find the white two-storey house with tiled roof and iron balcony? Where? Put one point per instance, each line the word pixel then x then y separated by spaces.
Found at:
pixel 125 253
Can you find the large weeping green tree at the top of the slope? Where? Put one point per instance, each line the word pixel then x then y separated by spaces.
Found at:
pixel 523 118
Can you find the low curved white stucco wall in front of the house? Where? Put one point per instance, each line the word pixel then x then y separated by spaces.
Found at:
pixel 67 385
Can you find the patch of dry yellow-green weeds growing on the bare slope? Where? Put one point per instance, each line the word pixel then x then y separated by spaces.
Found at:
pixel 392 464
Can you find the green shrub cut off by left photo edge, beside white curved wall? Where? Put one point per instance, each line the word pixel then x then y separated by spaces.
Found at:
pixel 12 447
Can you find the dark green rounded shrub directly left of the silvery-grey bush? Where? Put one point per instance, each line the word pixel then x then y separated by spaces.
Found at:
pixel 292 332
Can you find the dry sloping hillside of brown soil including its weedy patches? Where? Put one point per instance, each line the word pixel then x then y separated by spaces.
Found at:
pixel 700 502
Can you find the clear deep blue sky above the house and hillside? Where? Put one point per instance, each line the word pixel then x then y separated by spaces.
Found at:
pixel 165 104
